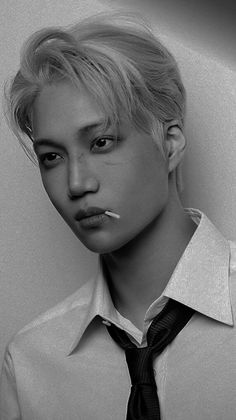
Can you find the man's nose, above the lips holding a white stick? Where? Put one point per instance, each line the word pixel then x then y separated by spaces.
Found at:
pixel 81 179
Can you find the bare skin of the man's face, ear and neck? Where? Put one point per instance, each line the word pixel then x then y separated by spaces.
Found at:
pixel 129 176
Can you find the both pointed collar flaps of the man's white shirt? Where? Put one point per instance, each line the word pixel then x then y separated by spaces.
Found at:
pixel 200 280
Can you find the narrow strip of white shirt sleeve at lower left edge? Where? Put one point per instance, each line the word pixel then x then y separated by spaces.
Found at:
pixel 9 405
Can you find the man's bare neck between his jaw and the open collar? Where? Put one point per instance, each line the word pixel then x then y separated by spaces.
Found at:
pixel 138 273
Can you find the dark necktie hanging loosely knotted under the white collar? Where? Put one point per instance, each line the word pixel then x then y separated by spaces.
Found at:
pixel 143 401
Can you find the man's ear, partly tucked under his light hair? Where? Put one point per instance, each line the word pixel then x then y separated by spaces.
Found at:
pixel 175 144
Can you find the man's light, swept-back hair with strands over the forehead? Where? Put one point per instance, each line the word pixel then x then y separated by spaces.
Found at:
pixel 116 58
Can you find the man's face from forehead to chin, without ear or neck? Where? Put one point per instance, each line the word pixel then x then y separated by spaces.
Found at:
pixel 87 168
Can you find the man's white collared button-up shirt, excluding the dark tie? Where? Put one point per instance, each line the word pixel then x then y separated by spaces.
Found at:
pixel 65 366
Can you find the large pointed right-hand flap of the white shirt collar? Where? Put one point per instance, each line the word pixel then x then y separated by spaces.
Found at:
pixel 201 278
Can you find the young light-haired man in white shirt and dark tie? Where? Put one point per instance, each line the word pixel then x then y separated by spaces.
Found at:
pixel 152 334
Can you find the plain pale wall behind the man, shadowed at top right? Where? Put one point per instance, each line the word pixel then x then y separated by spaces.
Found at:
pixel 41 260
